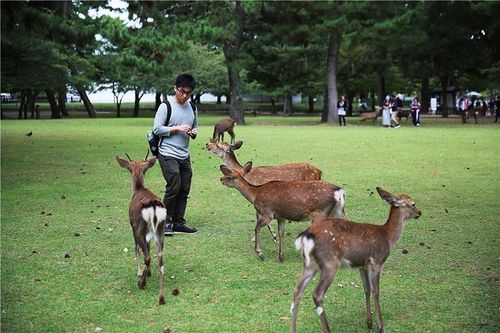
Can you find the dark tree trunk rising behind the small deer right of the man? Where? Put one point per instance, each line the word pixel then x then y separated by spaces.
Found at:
pixel 231 49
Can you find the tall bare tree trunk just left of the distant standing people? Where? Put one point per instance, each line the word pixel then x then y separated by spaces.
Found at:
pixel 332 60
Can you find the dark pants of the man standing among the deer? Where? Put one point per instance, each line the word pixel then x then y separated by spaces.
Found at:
pixel 177 174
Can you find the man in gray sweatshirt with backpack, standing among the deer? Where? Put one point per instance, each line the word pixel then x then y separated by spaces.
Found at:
pixel 173 150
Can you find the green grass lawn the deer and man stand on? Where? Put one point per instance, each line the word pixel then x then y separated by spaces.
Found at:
pixel 64 180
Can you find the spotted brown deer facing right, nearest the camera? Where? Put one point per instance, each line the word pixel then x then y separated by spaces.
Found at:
pixel 330 243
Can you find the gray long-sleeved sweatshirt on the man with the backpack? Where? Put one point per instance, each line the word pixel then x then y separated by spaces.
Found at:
pixel 174 145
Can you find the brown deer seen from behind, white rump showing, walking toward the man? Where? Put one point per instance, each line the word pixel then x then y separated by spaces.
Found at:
pixel 147 215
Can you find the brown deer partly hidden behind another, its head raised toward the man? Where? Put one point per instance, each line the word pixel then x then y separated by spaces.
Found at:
pixel 263 174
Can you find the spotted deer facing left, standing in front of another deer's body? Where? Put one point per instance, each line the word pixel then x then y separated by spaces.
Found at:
pixel 294 200
